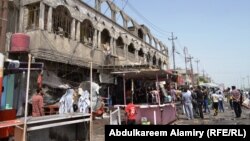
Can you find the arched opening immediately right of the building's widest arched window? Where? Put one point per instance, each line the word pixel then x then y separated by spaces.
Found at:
pixel 86 32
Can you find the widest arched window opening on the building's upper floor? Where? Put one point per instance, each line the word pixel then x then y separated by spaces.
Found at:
pixel 62 21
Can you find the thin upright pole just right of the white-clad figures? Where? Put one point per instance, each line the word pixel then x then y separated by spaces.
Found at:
pixel 91 103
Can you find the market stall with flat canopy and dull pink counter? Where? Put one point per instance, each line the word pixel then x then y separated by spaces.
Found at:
pixel 153 112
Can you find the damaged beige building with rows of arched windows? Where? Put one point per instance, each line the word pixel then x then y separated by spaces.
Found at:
pixel 66 35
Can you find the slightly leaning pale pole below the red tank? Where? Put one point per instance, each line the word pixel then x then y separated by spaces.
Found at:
pixel 26 100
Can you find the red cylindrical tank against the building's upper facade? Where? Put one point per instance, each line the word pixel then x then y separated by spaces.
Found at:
pixel 20 42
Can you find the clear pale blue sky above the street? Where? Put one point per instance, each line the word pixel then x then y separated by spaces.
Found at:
pixel 217 32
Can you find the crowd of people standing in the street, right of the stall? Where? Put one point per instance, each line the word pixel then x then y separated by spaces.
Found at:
pixel 199 100
